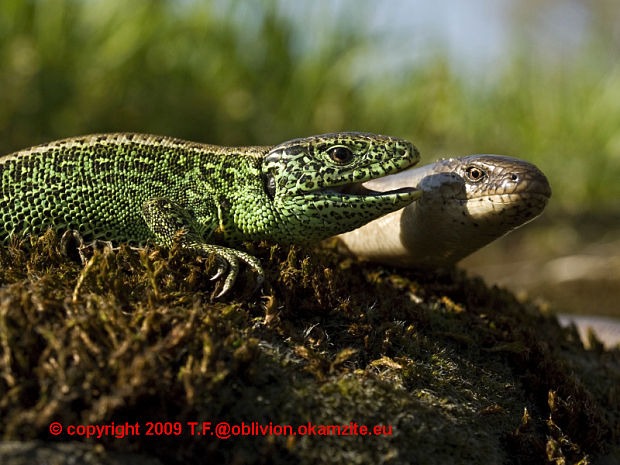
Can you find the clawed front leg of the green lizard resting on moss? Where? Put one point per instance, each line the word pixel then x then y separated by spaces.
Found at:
pixel 165 218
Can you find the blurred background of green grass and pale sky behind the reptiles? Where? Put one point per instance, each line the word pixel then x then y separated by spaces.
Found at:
pixel 246 73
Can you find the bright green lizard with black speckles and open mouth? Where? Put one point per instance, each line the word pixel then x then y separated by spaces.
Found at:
pixel 133 188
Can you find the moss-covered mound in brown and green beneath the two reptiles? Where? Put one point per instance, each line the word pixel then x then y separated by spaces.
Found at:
pixel 445 362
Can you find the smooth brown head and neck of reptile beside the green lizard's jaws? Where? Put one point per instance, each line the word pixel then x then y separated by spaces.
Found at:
pixel 466 203
